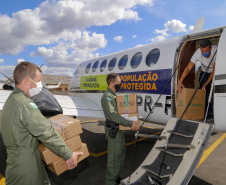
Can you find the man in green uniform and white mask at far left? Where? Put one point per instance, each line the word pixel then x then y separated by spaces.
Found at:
pixel 23 125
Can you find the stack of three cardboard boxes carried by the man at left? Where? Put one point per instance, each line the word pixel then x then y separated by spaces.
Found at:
pixel 69 128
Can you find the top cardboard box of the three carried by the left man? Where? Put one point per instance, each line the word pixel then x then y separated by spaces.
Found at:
pixel 67 126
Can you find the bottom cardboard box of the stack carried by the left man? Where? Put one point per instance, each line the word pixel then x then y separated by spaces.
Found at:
pixel 60 166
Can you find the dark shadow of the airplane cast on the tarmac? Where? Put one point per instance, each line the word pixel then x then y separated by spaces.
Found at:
pixel 92 170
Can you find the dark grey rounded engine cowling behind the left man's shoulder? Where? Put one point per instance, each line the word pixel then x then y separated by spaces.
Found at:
pixel 47 103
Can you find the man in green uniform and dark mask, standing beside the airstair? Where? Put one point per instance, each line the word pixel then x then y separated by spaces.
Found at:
pixel 116 143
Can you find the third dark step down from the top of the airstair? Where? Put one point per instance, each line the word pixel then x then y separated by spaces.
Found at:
pixel 154 169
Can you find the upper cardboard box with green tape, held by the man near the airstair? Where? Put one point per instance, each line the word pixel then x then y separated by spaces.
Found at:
pixel 127 103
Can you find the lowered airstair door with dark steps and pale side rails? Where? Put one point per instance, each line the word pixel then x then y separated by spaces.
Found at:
pixel 175 156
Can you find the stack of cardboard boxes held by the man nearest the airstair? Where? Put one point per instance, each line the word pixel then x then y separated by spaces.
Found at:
pixel 127 108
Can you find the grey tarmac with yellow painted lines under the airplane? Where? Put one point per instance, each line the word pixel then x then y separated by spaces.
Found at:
pixel 92 170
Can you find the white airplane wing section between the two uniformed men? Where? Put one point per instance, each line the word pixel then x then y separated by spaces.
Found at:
pixel 78 106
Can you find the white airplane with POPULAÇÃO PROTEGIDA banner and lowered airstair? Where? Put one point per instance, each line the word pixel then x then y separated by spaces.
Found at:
pixel 152 72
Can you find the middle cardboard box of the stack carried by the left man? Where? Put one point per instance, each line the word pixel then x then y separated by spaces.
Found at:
pixel 49 157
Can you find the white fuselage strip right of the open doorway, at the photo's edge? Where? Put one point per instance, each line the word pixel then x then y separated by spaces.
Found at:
pixel 220 85
